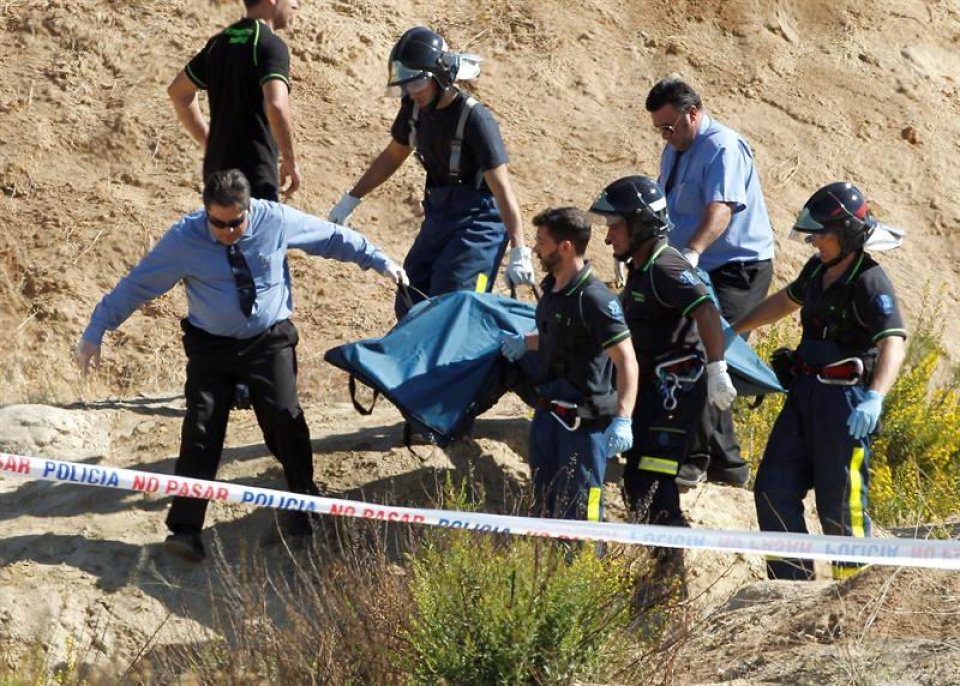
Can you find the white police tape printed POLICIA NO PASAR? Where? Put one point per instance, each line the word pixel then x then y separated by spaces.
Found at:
pixel 899 552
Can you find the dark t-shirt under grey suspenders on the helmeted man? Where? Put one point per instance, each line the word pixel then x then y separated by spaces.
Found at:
pixel 482 150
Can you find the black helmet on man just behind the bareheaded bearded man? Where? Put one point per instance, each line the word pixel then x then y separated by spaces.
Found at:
pixel 641 202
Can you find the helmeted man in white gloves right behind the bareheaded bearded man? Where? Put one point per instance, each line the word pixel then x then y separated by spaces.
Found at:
pixel 669 312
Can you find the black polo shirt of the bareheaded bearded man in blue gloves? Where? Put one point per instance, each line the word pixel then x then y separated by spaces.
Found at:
pixel 576 325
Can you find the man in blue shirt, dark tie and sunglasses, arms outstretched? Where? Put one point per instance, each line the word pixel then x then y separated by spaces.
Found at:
pixel 232 259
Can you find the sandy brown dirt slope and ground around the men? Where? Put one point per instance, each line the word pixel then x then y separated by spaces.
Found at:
pixel 94 167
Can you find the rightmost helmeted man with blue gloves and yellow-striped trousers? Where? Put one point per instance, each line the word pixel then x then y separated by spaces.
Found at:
pixel 850 352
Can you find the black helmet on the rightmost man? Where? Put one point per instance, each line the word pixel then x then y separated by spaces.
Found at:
pixel 838 207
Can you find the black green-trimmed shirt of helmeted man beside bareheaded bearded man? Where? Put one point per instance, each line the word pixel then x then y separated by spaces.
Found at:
pixel 657 300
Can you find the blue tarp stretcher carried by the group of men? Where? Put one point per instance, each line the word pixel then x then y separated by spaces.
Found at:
pixel 441 364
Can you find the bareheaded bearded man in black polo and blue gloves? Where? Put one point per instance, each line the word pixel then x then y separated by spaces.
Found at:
pixel 582 420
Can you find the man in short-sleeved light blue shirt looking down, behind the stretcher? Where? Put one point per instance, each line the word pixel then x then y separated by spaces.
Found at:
pixel 721 225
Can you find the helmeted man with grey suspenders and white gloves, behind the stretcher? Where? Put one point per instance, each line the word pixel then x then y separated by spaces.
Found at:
pixel 471 213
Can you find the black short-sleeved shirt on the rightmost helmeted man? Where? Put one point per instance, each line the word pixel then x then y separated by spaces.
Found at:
pixel 856 311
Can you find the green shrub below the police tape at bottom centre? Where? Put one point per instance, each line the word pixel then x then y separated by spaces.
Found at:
pixel 514 612
